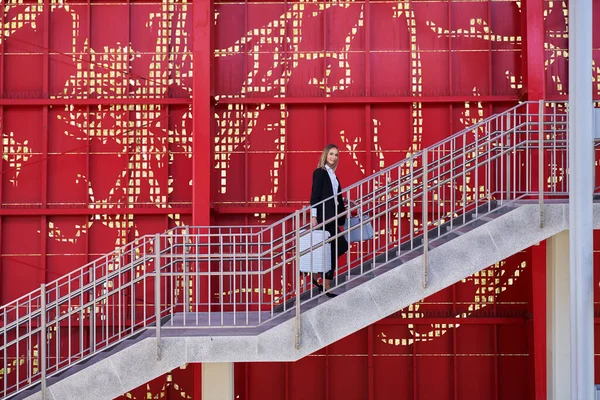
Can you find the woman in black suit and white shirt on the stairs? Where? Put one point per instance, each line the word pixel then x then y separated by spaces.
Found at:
pixel 325 184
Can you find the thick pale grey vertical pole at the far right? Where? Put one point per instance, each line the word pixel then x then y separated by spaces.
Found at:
pixel 581 165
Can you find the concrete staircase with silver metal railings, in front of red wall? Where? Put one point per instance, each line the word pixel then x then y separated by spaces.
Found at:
pixel 202 294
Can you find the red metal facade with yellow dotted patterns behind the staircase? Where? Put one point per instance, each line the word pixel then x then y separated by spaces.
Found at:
pixel 102 142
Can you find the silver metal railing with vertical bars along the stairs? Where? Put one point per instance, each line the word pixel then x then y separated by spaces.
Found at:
pixel 246 277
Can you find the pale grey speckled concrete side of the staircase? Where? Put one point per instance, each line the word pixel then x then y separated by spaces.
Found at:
pixel 331 320
